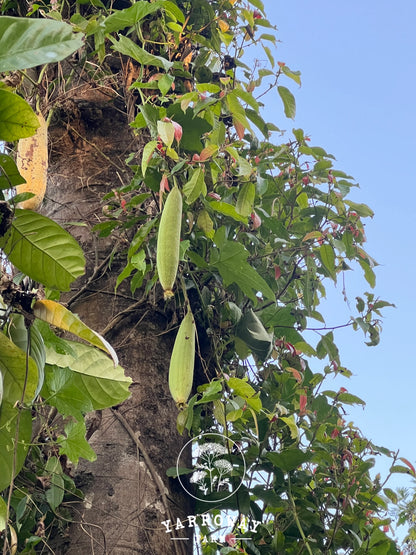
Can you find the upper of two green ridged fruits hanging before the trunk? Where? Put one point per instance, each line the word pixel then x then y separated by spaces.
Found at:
pixel 168 241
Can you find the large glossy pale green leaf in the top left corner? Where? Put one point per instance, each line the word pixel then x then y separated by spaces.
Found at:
pixel 26 43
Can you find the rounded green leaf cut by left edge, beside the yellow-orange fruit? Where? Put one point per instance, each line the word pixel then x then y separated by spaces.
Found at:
pixel 17 119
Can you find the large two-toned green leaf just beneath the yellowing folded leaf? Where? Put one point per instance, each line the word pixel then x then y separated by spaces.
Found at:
pixel 84 382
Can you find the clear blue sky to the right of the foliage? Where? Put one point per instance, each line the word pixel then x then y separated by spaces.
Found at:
pixel 357 101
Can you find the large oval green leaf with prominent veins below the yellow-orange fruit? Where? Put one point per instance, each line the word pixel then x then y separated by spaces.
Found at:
pixel 43 250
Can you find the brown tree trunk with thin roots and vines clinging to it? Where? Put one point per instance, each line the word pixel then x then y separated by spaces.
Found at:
pixel 127 492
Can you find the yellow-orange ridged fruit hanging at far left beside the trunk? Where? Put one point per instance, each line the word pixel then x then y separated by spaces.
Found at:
pixel 32 163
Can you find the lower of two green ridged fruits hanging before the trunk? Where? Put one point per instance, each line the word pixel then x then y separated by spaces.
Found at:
pixel 181 368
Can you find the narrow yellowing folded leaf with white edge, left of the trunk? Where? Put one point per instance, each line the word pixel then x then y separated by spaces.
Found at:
pixel 57 315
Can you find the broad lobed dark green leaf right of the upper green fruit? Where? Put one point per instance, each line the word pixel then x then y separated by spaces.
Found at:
pixel 234 268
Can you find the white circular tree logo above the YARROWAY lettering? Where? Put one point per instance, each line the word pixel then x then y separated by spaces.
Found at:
pixel 218 467
